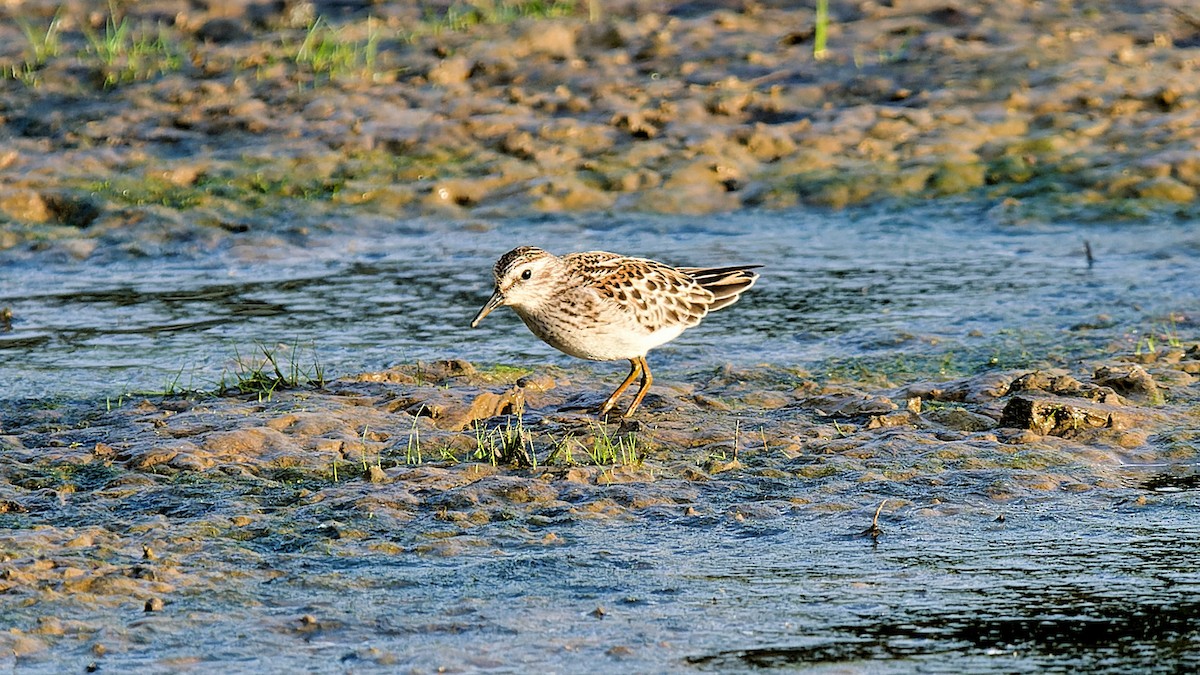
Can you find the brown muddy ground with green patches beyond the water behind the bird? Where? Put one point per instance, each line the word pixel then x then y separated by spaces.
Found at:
pixel 184 123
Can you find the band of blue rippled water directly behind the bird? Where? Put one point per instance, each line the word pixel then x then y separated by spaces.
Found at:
pixel 928 282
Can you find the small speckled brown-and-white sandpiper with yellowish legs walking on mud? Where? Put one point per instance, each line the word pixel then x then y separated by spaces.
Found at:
pixel 603 307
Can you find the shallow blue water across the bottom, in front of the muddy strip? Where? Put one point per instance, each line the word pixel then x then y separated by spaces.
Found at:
pixel 1097 583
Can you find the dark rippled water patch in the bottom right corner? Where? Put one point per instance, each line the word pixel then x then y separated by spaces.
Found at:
pixel 1120 601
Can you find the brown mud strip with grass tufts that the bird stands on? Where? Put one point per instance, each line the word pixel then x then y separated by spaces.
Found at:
pixel 141 506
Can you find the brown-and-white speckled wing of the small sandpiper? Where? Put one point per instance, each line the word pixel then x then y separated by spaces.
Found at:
pixel 655 295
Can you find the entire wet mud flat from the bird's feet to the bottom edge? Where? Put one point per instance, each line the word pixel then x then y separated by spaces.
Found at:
pixel 445 517
